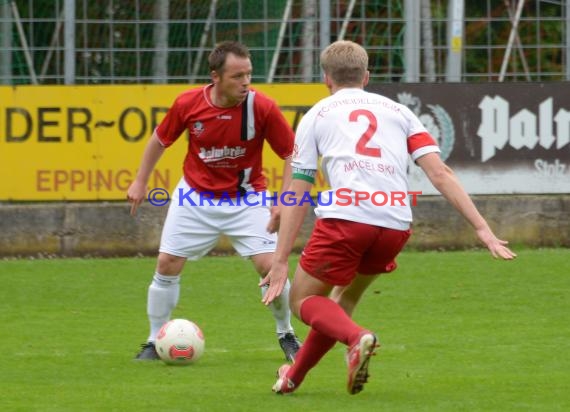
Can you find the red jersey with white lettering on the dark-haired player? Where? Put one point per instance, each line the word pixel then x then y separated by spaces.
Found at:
pixel 225 144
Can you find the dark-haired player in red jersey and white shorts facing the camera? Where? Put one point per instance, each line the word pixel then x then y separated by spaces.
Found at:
pixel 227 124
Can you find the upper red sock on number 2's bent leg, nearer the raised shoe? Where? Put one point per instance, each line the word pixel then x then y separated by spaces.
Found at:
pixel 328 318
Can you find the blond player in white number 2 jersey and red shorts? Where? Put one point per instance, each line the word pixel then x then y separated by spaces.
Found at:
pixel 364 140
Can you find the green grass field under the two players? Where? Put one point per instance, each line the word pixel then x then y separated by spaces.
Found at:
pixel 459 332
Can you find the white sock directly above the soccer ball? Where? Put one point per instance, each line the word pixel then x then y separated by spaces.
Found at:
pixel 163 294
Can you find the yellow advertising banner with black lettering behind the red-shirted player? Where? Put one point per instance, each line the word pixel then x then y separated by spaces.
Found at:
pixel 86 142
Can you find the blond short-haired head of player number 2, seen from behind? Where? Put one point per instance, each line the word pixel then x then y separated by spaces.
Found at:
pixel 345 63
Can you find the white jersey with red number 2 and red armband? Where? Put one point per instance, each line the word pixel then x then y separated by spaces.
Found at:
pixel 364 141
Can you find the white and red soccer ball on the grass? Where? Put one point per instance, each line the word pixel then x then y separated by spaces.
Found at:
pixel 180 342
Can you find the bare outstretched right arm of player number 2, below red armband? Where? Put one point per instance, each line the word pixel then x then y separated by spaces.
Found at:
pixel 444 180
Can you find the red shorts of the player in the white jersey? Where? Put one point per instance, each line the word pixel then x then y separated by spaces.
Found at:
pixel 339 249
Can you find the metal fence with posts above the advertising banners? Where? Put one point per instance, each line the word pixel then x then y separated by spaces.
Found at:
pixel 161 41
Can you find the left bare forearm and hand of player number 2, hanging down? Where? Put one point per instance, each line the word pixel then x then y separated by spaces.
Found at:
pixel 292 218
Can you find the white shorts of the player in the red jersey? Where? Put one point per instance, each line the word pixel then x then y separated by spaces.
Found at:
pixel 191 230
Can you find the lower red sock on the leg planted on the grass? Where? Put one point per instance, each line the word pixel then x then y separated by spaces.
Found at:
pixel 315 346
